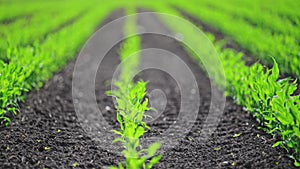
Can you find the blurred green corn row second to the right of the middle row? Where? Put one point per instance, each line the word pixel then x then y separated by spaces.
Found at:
pixel 256 39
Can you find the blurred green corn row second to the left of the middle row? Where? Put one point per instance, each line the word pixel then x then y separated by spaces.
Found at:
pixel 35 27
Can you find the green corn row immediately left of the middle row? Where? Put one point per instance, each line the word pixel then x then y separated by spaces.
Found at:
pixel 31 65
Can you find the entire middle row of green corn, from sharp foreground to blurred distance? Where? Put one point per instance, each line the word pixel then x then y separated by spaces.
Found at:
pixel 132 104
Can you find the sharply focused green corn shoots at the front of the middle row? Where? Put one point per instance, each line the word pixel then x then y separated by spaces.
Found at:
pixel 131 106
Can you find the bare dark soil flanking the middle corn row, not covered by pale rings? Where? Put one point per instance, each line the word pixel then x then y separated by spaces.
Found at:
pixel 47 134
